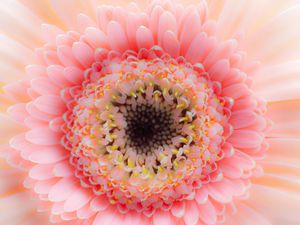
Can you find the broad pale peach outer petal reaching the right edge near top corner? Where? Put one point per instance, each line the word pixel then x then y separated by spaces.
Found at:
pixel 280 39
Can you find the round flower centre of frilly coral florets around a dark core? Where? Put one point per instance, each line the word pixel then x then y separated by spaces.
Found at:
pixel 146 132
